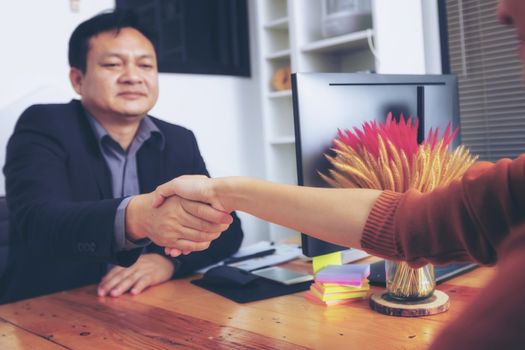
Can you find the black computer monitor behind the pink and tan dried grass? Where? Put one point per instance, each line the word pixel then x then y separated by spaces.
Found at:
pixel 326 102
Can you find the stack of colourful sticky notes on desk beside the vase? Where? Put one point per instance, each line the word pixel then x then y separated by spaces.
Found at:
pixel 338 284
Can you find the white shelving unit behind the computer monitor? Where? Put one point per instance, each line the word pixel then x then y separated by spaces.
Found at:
pixel 289 35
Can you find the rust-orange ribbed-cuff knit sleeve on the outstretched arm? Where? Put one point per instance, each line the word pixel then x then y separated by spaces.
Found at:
pixel 466 220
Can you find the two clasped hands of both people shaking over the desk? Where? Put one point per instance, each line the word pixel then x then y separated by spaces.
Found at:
pixel 182 215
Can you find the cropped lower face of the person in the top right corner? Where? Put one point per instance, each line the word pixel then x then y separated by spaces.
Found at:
pixel 512 12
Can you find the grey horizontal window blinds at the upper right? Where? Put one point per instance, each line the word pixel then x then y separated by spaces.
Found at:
pixel 483 55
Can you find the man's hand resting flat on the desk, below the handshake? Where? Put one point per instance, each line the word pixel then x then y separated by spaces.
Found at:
pixel 148 270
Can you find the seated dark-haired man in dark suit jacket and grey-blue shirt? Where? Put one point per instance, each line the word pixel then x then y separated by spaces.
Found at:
pixel 79 178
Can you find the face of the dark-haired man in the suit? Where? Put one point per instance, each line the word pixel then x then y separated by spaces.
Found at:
pixel 121 79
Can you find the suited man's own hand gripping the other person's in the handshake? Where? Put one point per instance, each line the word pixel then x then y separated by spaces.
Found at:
pixel 178 223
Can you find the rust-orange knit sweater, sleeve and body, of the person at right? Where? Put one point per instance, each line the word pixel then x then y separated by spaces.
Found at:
pixel 482 218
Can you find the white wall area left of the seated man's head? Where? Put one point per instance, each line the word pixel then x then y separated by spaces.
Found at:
pixel 34 68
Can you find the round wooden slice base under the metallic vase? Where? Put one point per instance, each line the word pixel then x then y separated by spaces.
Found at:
pixel 435 304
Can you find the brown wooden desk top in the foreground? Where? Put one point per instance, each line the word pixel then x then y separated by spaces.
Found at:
pixel 179 314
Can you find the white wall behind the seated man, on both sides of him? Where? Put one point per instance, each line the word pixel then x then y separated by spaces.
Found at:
pixel 223 111
